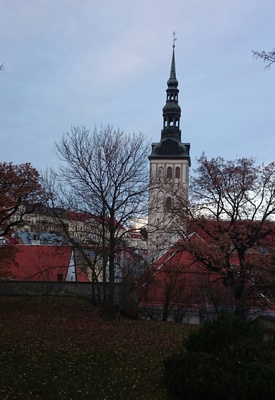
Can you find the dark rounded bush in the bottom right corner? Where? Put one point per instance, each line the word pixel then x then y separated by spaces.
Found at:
pixel 226 359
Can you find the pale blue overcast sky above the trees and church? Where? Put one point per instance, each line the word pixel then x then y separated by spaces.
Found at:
pixel 98 62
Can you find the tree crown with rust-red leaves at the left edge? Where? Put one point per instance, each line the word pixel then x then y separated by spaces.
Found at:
pixel 20 192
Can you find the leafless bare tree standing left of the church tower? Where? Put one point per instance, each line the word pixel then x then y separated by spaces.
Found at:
pixel 104 174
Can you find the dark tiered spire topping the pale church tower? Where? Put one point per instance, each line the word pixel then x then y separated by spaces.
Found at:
pixel 170 145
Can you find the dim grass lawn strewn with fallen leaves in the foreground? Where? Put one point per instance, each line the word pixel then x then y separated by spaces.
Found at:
pixel 64 348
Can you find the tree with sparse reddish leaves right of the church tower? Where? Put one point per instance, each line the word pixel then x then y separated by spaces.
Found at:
pixel 232 208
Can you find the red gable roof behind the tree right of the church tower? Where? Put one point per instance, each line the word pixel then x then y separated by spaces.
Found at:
pixel 177 278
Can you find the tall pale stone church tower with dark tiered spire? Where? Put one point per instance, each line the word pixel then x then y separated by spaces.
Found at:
pixel 169 173
